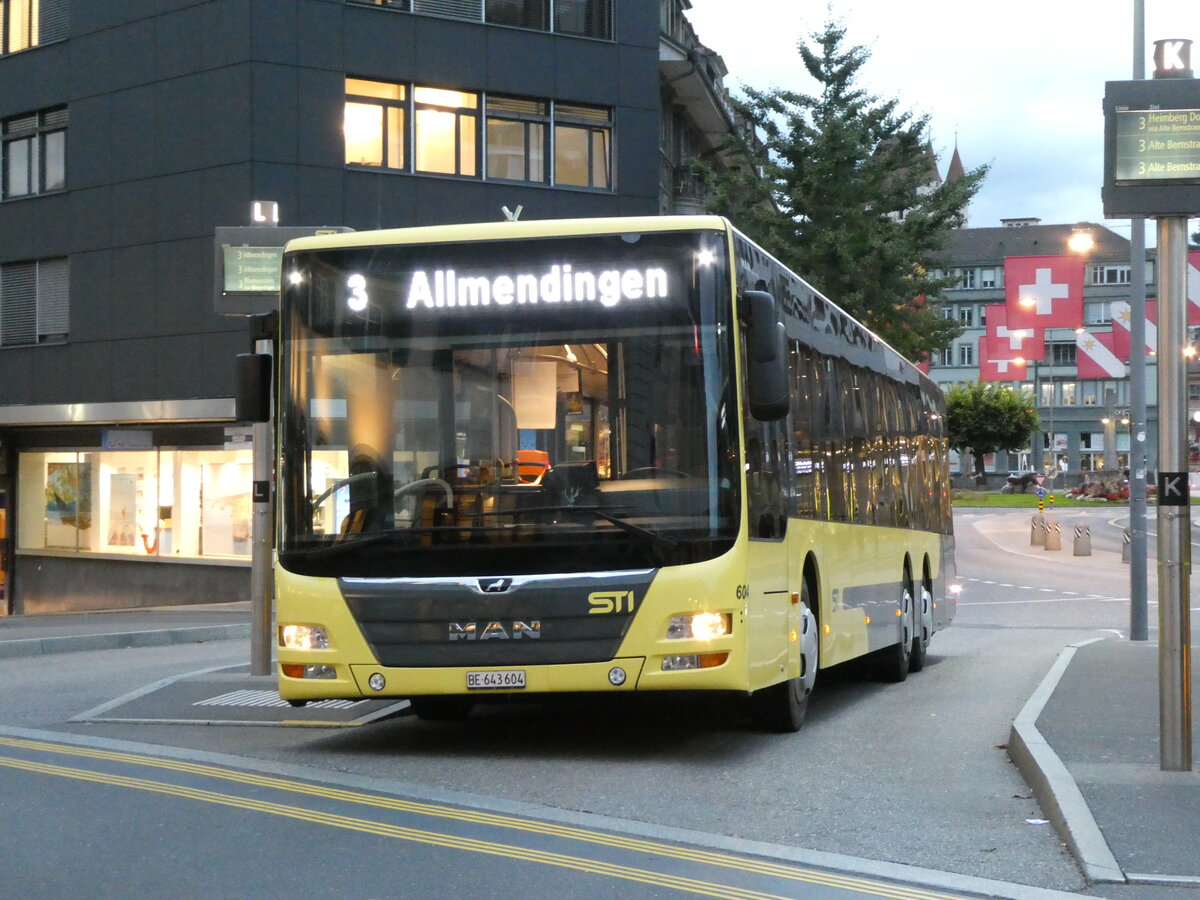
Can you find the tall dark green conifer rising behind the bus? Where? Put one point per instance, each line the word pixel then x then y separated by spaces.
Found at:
pixel 844 197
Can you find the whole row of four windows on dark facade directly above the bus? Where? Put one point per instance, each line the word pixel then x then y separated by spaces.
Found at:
pixel 434 130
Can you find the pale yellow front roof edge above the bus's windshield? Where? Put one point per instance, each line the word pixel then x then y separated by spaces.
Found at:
pixel 508 231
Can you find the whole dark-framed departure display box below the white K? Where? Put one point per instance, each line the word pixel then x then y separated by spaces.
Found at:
pixel 1153 148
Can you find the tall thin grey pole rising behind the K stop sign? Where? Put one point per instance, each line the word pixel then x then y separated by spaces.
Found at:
pixel 1139 627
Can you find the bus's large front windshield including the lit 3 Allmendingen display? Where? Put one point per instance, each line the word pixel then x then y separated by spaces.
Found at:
pixel 508 407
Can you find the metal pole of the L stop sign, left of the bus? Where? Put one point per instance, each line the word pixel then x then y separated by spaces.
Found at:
pixel 261 593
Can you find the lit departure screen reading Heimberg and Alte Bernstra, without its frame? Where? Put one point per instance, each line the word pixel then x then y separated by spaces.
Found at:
pixel 1157 146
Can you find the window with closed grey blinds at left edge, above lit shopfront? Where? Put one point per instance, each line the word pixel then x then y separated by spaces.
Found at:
pixel 34 303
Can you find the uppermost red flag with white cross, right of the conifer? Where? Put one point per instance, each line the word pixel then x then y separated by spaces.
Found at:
pixel 1045 292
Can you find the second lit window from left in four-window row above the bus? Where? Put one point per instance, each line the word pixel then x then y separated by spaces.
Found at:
pixel 446 134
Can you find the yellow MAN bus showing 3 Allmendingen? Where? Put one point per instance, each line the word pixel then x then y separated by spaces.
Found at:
pixel 595 457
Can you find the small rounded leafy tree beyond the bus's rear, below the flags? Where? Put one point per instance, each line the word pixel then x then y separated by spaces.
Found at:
pixel 986 417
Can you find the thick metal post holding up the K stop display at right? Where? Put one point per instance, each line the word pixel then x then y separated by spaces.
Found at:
pixel 1174 513
